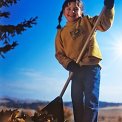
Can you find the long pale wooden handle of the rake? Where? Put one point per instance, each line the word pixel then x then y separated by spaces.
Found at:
pixel 82 51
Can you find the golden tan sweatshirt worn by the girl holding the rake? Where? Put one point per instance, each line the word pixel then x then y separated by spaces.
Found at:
pixel 71 38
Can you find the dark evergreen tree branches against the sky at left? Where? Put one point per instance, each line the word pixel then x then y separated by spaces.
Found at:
pixel 8 31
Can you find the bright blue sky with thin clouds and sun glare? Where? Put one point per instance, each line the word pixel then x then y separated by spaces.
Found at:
pixel 30 71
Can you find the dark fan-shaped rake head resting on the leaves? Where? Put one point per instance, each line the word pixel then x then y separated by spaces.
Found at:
pixel 53 112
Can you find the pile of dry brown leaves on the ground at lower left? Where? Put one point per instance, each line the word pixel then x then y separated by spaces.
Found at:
pixel 19 116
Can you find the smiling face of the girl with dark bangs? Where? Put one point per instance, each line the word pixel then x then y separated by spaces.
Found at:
pixel 72 12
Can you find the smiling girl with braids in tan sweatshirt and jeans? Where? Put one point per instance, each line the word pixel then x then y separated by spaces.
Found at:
pixel 69 42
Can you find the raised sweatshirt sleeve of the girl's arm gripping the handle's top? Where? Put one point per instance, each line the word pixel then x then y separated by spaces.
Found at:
pixel 106 20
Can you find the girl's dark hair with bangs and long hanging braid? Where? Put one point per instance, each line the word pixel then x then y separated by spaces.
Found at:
pixel 65 4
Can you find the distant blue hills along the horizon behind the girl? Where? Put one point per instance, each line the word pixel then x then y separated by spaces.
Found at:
pixel 16 103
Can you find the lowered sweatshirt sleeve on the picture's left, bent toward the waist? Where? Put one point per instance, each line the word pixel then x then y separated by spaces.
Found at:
pixel 60 52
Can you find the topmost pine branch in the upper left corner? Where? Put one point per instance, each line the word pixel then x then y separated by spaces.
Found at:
pixel 7 3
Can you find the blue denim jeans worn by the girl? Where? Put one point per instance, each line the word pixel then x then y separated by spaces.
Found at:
pixel 85 94
